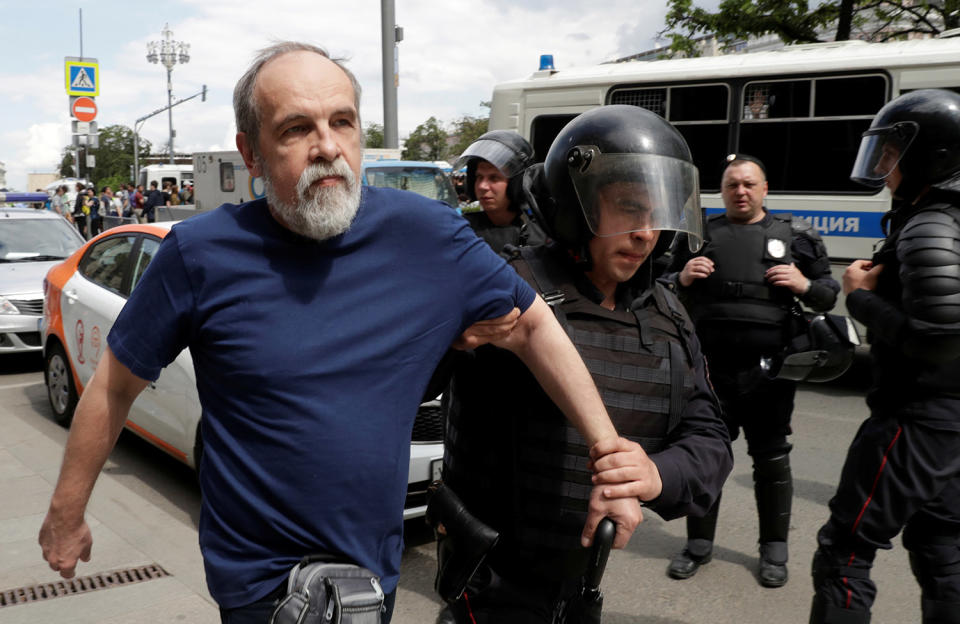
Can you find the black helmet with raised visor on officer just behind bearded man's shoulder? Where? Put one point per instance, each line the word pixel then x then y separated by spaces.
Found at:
pixel 507 151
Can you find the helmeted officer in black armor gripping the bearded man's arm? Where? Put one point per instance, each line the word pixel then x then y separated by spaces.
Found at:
pixel 617 183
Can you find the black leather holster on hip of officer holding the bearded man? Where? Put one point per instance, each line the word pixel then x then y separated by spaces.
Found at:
pixel 465 545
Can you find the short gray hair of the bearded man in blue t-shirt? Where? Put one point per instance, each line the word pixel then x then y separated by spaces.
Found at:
pixel 245 104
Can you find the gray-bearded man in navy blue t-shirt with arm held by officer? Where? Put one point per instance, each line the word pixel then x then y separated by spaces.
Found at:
pixel 314 318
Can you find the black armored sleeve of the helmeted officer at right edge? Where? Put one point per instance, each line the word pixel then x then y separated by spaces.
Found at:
pixel 926 325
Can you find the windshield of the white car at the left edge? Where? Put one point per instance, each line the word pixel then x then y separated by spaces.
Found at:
pixel 30 240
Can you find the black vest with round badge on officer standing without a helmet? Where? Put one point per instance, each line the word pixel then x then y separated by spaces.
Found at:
pixel 737 289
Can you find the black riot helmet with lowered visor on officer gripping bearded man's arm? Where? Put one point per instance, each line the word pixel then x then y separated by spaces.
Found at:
pixel 632 148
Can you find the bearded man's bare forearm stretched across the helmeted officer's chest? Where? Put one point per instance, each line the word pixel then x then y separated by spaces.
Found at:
pixel 544 347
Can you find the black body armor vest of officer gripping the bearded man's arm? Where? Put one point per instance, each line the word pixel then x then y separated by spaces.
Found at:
pixel 640 361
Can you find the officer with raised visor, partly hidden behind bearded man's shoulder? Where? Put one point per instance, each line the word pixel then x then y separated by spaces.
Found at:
pixel 495 165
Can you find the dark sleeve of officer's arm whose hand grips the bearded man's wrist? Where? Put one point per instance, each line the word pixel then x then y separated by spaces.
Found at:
pixel 698 457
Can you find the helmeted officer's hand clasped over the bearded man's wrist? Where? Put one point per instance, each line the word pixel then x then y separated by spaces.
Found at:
pixel 623 470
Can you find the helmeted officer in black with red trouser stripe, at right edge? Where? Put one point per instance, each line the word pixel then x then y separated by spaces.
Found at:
pixel 903 467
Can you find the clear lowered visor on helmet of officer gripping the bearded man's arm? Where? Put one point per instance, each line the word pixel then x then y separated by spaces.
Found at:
pixel 622 193
